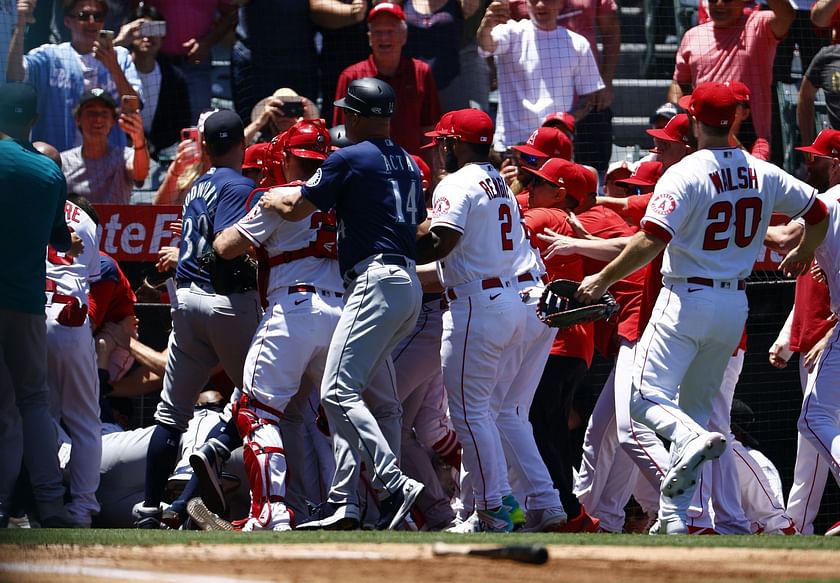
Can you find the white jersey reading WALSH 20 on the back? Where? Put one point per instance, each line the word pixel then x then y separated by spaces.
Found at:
pixel 715 205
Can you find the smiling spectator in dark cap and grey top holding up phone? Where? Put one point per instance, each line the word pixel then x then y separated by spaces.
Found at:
pixel 96 170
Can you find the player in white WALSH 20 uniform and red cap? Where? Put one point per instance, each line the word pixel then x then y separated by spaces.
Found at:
pixel 708 214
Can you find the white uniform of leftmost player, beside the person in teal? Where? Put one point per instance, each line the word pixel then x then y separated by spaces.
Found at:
pixel 71 360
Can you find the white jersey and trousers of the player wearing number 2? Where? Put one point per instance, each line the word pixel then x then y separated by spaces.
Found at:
pixel 486 316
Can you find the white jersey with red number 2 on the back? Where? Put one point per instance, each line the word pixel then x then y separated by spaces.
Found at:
pixel 477 202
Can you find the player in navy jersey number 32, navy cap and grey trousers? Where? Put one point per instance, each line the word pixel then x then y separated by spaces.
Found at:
pixel 209 326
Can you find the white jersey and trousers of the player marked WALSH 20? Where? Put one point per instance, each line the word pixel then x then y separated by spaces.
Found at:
pixel 713 209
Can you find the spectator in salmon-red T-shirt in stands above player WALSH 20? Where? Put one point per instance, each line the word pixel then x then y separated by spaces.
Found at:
pixel 734 45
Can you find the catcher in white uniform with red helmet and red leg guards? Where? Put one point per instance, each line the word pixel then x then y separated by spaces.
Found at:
pixel 289 349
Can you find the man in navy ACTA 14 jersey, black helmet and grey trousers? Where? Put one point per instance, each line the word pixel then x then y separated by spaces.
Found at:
pixel 374 185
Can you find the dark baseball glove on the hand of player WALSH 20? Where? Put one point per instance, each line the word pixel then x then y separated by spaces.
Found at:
pixel 558 307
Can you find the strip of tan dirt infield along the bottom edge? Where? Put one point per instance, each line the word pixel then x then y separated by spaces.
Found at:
pixel 397 563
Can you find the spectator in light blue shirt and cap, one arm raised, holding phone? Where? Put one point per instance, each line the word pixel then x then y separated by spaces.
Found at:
pixel 62 73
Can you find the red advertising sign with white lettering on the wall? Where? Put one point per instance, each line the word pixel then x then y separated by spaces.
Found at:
pixel 136 232
